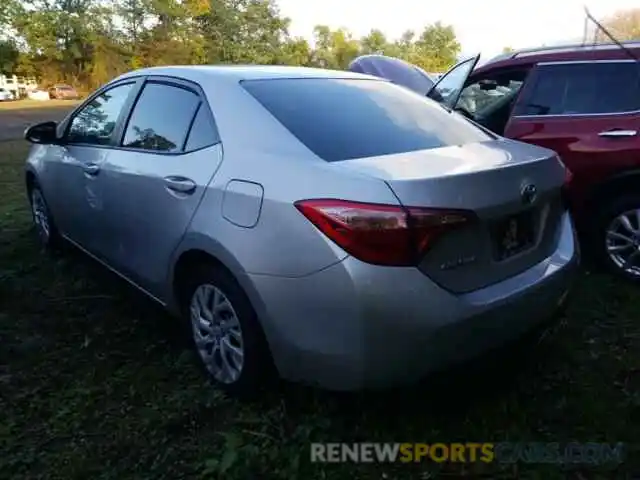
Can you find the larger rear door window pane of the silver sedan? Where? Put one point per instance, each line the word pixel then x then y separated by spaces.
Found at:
pixel 161 118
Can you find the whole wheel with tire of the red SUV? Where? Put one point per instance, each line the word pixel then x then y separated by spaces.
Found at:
pixel 617 240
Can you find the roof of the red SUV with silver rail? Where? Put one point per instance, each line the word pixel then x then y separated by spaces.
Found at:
pixel 563 53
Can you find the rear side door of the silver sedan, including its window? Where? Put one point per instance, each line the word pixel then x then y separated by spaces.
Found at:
pixel 155 180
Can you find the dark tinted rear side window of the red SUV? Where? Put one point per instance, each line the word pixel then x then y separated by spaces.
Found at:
pixel 584 88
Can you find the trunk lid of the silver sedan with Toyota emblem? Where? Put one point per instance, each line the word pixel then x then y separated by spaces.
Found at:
pixel 514 190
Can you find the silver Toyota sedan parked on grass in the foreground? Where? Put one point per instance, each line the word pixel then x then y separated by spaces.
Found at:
pixel 364 237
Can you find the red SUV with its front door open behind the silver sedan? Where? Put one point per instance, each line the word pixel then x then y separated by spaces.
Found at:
pixel 584 103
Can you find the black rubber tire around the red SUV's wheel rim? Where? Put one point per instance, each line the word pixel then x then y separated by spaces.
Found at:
pixel 598 243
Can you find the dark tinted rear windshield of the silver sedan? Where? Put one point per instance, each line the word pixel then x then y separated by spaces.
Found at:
pixel 343 119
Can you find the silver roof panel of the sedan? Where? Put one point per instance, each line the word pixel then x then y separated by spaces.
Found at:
pixel 238 73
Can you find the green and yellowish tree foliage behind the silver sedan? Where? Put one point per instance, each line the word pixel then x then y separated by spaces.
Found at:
pixel 87 42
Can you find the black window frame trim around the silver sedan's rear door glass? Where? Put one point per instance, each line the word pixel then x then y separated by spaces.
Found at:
pixel 175 82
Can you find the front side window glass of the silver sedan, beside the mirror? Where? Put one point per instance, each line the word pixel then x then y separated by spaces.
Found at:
pixel 95 123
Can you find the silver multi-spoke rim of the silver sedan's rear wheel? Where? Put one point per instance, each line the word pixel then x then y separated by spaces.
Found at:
pixel 217 333
